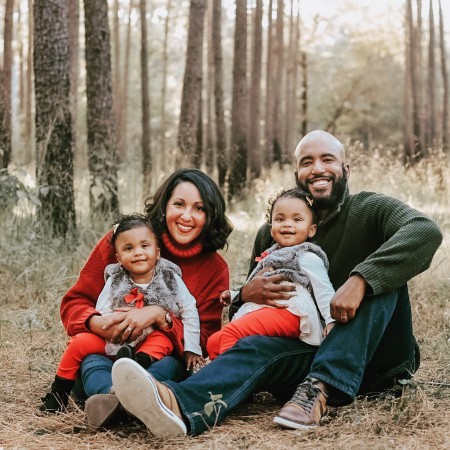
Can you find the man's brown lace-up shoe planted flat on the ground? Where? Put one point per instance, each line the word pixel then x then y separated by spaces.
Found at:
pixel 305 409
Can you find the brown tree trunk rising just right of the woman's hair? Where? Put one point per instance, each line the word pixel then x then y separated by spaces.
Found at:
pixel 238 140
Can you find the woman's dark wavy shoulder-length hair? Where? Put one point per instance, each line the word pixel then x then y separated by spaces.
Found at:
pixel 217 228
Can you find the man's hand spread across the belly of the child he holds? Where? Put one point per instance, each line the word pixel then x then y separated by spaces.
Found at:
pixel 266 290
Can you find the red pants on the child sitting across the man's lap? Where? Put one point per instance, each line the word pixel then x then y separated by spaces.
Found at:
pixel 263 322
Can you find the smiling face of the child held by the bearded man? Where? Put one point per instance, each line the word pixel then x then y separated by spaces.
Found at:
pixel 292 222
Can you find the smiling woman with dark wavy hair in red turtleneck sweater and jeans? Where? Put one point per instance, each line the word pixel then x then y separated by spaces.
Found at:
pixel 188 212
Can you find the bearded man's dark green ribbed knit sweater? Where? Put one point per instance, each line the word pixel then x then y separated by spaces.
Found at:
pixel 379 237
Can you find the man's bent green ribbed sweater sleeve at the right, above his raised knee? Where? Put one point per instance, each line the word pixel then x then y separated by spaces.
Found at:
pixel 409 241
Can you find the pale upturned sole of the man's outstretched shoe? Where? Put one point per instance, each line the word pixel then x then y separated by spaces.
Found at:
pixel 138 393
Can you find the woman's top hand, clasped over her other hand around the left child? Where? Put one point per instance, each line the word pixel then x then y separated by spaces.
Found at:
pixel 135 320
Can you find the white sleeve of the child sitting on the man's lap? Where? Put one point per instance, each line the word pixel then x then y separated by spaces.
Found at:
pixel 314 267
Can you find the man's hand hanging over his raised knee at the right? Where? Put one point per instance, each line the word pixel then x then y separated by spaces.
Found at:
pixel 348 298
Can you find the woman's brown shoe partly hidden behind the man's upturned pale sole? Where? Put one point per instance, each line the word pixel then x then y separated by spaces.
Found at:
pixel 102 410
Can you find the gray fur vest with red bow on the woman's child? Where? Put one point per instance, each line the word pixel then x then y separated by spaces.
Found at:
pixel 162 290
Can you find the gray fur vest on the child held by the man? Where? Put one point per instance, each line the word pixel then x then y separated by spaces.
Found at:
pixel 285 261
